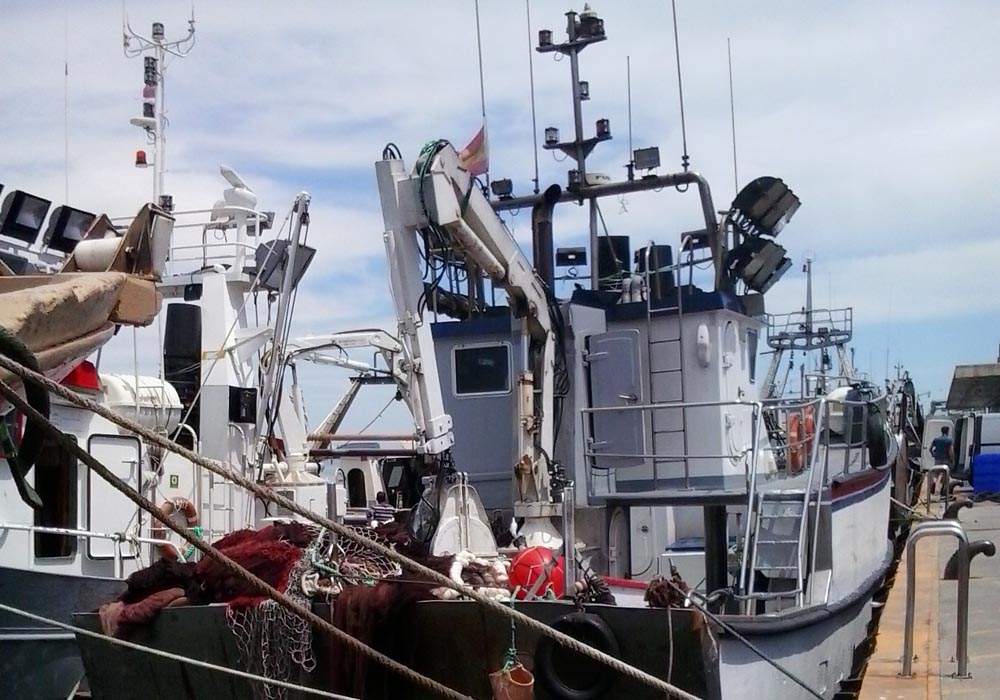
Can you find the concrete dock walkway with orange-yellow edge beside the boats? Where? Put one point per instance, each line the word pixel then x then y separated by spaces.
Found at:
pixel 934 633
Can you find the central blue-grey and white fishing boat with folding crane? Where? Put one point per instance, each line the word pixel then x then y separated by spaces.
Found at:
pixel 742 530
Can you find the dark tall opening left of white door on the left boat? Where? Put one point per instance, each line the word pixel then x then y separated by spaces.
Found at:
pixel 56 479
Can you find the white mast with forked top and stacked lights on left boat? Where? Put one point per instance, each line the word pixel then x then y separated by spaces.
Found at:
pixel 153 121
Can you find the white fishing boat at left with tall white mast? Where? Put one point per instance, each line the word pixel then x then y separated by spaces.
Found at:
pixel 68 540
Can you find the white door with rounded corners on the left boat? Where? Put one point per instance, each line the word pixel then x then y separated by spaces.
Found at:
pixel 108 510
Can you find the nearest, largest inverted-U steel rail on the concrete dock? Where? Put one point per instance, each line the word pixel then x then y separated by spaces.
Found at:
pixel 938 528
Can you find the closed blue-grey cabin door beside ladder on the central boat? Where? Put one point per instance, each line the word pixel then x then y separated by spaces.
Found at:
pixel 615 382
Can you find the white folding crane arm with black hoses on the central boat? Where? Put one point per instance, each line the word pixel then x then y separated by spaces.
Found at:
pixel 439 202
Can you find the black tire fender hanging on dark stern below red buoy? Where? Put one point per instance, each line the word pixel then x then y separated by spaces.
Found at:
pixel 552 659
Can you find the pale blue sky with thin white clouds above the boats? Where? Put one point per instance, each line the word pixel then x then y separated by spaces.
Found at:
pixel 882 117
